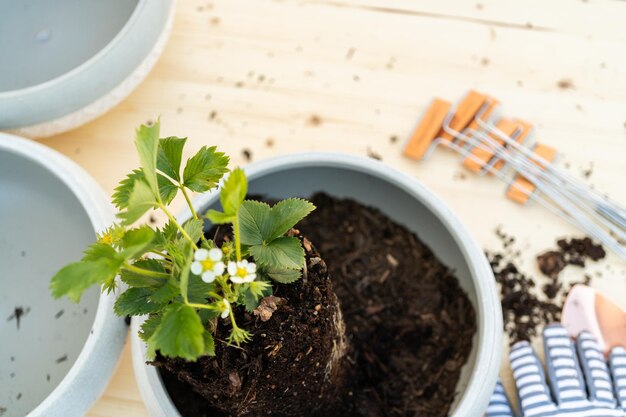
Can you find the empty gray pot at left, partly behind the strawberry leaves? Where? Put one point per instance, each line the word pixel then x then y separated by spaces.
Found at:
pixel 56 361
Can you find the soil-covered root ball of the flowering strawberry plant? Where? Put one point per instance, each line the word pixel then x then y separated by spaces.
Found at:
pixel 296 363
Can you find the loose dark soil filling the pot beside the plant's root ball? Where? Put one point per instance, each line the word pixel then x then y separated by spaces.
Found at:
pixel 408 322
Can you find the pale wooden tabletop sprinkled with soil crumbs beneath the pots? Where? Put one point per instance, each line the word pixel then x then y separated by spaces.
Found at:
pixel 280 76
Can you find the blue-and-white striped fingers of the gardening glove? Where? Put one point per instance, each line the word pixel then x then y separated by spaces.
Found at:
pixel 581 382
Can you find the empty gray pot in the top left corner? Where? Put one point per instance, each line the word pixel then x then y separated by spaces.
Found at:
pixel 65 62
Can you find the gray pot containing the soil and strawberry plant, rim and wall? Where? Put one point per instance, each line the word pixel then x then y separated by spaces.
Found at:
pixel 407 202
